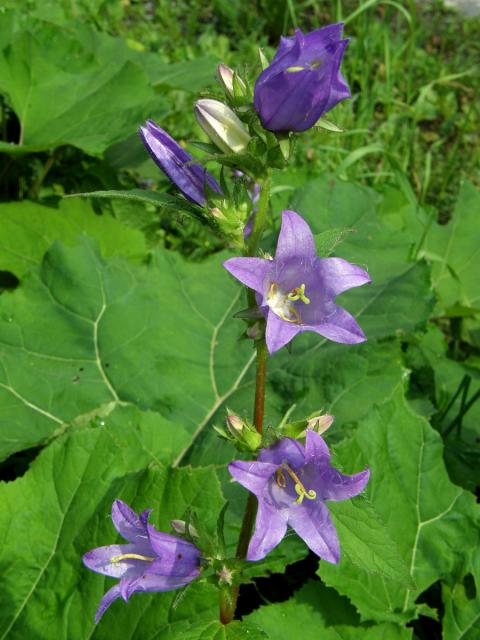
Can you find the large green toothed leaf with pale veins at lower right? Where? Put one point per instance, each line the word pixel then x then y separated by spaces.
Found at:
pixel 431 520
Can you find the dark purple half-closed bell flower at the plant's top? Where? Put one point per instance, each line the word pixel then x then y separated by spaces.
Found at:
pixel 303 80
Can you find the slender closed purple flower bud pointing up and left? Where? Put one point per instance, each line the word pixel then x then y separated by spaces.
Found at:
pixel 177 164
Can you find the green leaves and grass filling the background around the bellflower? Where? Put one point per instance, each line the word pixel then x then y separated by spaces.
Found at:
pixel 117 348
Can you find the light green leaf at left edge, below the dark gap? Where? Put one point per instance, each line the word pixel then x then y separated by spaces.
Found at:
pixel 28 230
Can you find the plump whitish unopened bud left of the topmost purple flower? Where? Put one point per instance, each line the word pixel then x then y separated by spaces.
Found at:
pixel 222 126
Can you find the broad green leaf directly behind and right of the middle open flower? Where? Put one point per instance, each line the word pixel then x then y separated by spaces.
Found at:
pixel 383 233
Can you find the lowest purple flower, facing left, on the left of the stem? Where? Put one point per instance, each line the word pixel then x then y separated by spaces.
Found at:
pixel 152 561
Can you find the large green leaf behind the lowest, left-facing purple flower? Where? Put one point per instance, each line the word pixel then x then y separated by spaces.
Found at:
pixel 60 509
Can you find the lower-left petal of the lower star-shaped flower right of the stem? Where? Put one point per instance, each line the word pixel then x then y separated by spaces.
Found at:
pixel 270 528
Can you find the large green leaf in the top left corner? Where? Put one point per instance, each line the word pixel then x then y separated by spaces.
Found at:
pixel 85 91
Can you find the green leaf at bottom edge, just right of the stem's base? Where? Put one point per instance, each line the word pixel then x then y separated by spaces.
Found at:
pixel 320 612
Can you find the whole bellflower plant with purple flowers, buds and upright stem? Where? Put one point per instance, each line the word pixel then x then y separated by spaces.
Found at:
pixel 293 292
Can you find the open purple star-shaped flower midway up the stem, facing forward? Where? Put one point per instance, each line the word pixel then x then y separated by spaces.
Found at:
pixel 296 290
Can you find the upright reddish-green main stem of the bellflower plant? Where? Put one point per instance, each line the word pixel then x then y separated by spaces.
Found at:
pixel 228 601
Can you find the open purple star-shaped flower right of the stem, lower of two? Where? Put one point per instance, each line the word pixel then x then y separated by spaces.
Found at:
pixel 292 483
